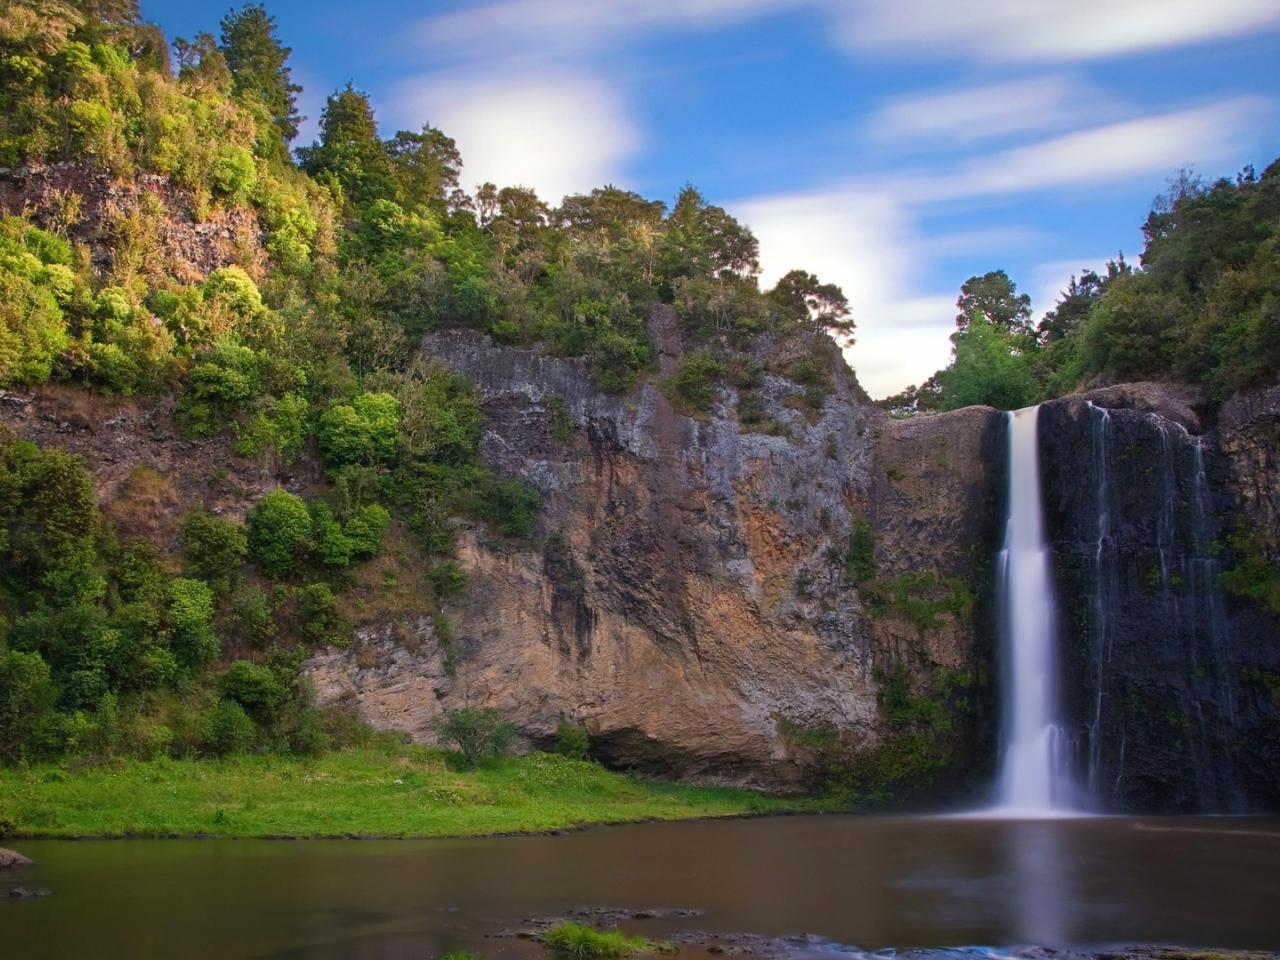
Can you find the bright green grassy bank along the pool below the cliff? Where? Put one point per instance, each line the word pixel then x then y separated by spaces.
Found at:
pixel 353 793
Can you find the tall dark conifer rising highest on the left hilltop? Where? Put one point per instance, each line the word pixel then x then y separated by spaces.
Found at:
pixel 259 66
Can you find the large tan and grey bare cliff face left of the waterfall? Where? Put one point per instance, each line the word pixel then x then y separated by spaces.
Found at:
pixel 687 598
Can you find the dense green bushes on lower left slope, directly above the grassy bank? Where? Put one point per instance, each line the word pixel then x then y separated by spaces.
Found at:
pixel 106 651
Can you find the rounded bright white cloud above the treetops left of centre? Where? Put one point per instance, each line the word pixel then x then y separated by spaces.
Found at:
pixel 556 132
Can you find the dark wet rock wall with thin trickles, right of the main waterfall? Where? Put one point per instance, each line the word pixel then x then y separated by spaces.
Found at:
pixel 1167 671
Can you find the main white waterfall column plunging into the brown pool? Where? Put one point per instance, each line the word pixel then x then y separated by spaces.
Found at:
pixel 1035 774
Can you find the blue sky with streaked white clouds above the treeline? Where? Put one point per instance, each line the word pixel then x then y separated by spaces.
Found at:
pixel 895 148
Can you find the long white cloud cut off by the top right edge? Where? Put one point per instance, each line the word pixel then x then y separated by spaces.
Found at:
pixel 1048 30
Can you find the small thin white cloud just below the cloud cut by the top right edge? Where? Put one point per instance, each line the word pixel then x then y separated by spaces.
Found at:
pixel 979 113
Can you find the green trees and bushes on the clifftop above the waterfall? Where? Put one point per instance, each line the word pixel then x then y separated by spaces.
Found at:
pixel 1201 308
